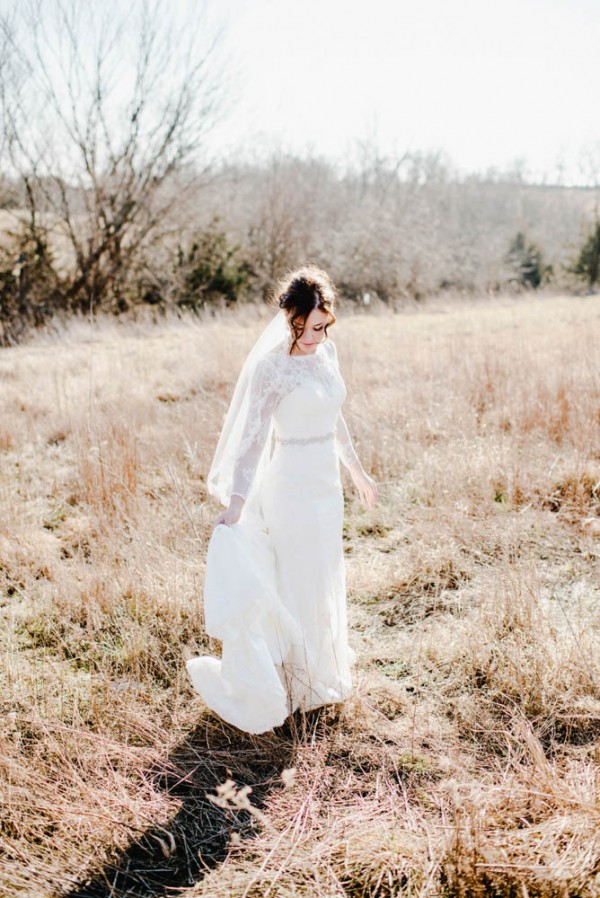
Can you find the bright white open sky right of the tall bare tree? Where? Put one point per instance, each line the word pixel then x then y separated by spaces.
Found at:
pixel 487 81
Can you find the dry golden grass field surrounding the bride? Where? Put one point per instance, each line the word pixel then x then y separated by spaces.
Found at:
pixel 467 762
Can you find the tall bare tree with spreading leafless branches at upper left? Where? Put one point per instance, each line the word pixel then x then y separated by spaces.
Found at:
pixel 105 112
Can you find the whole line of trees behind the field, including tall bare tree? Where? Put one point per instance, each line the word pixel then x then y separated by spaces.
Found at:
pixel 108 202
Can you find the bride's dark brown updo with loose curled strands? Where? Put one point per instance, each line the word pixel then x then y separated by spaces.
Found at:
pixel 301 292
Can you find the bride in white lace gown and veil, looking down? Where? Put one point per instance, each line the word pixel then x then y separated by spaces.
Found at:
pixel 274 590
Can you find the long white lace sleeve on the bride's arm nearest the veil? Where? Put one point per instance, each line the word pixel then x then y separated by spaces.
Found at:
pixel 262 401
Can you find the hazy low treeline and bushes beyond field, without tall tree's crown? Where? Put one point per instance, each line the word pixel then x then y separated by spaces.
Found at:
pixel 388 232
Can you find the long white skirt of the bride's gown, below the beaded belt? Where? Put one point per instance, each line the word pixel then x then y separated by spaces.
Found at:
pixel 275 595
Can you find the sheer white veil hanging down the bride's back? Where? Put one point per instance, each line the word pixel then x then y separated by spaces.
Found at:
pixel 220 476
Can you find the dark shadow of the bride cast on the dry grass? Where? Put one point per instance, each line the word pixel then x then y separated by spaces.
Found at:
pixel 196 840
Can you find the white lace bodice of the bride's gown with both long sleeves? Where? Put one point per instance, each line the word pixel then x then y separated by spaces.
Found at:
pixel 299 399
